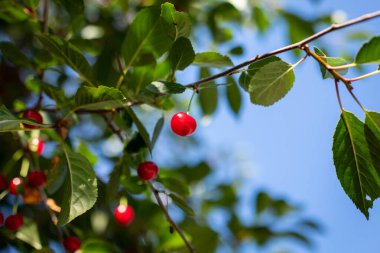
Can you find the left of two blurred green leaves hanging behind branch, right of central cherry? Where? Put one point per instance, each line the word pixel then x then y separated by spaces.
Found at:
pixel 208 98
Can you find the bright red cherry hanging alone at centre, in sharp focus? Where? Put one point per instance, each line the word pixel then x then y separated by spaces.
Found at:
pixel 183 124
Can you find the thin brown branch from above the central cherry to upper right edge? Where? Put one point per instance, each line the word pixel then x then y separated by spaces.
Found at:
pixel 299 44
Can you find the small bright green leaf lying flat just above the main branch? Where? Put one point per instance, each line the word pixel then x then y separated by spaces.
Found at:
pixel 212 60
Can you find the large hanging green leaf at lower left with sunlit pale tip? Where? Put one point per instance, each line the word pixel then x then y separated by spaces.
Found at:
pixel 80 188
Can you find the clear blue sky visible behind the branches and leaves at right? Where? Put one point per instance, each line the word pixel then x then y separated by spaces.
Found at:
pixel 286 148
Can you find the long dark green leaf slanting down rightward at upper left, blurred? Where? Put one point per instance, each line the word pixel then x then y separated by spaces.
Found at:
pixel 69 54
